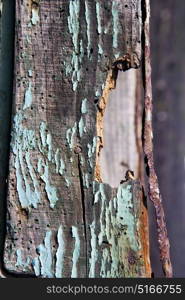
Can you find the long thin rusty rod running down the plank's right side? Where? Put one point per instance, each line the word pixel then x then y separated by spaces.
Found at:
pixel 154 192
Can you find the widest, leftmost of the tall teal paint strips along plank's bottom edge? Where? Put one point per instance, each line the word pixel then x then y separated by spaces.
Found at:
pixel 45 256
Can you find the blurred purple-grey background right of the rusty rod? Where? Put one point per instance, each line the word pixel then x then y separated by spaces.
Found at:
pixel 168 76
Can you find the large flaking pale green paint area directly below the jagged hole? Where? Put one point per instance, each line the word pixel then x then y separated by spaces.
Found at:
pixel 118 226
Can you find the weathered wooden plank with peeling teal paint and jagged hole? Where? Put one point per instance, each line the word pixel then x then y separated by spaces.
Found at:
pixel 60 222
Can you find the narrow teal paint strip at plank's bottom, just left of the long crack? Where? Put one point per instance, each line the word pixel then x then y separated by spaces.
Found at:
pixel 76 252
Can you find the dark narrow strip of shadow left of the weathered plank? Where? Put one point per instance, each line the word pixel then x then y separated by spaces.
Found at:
pixel 7 33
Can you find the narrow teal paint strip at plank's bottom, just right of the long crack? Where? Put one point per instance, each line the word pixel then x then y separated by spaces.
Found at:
pixel 94 251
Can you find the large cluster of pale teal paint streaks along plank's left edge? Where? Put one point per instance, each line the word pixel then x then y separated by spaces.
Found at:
pixel 23 140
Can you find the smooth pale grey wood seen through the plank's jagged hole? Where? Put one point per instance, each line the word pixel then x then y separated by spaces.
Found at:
pixel 123 130
